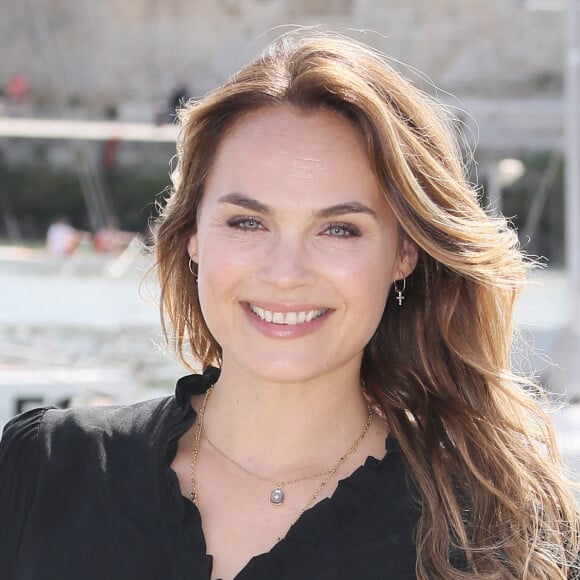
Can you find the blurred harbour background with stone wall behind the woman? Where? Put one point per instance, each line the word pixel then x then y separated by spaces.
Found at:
pixel 88 92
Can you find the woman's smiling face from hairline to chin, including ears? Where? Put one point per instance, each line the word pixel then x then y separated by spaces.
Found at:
pixel 296 247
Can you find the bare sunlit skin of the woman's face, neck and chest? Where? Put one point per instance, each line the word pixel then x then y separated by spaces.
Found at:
pixel 296 250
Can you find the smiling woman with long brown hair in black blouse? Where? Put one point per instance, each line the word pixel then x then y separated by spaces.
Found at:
pixel 322 249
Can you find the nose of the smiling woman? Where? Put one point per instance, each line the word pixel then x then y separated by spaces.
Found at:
pixel 287 263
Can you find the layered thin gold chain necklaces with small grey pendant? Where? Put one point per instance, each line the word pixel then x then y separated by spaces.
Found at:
pixel 277 494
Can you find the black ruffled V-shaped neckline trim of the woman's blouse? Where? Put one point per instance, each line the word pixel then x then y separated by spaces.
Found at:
pixel 354 496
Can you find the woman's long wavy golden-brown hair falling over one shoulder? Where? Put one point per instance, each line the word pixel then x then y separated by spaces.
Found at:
pixel 478 446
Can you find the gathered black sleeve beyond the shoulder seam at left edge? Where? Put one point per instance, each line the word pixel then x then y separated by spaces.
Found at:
pixel 19 463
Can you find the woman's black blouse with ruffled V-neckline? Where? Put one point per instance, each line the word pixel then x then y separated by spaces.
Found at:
pixel 90 494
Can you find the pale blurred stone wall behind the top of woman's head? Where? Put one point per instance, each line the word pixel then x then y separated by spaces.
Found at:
pixel 130 55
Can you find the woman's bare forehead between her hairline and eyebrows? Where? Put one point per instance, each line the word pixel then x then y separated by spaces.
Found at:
pixel 310 149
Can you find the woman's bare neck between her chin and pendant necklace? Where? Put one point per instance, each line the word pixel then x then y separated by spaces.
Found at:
pixel 284 428
